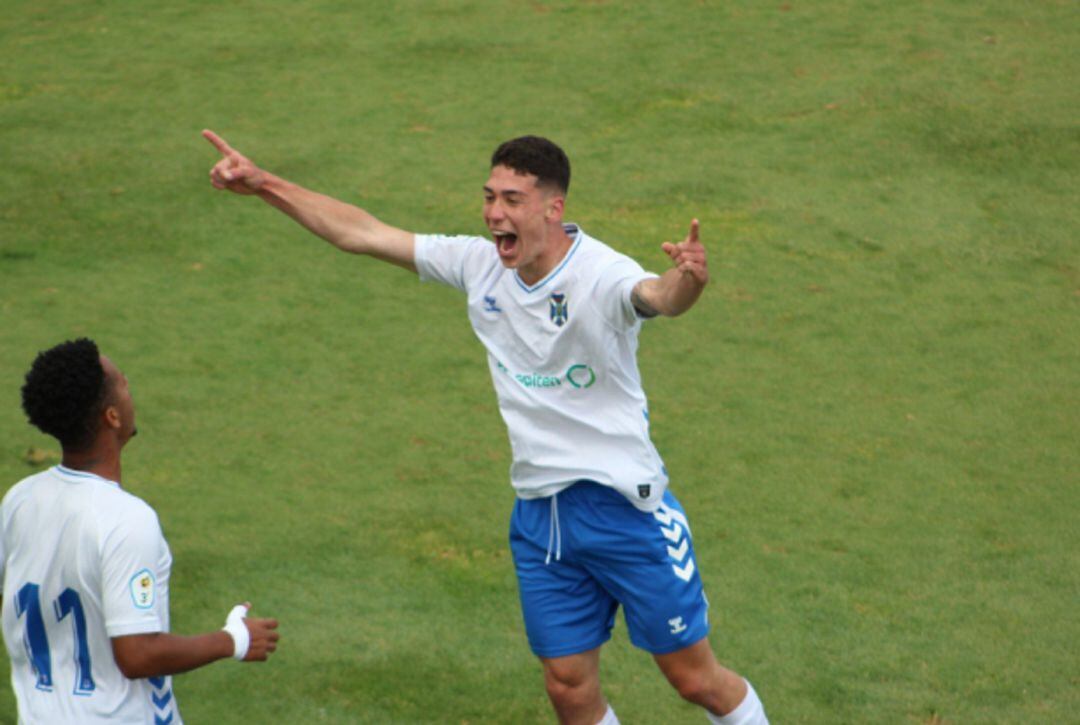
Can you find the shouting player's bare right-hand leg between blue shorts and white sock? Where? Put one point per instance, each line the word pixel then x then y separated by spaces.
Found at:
pixel 698 678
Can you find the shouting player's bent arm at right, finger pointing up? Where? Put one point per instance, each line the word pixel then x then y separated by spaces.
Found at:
pixel 678 290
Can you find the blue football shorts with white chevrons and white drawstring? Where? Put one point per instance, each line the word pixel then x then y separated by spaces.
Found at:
pixel 582 554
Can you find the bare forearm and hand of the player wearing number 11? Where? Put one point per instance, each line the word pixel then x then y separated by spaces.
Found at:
pixel 158 654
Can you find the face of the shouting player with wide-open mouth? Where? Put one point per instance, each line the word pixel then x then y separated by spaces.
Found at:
pixel 520 216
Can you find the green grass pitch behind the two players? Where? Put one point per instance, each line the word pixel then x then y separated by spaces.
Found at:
pixel 873 415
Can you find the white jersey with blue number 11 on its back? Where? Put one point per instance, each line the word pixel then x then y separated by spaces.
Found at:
pixel 83 561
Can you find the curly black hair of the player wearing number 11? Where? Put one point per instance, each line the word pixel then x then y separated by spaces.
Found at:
pixel 64 393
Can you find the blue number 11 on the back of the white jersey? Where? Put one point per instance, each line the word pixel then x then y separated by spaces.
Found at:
pixel 29 602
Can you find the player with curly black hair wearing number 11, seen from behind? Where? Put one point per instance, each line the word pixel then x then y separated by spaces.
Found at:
pixel 86 568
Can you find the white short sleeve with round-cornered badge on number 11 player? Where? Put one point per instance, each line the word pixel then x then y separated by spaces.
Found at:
pixel 136 563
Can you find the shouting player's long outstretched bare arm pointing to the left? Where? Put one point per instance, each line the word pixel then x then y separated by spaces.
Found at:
pixel 345 226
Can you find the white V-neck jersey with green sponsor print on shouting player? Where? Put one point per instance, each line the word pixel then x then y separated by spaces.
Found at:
pixel 562 354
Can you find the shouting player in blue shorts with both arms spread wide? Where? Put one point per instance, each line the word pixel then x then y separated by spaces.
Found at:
pixel 595 526
